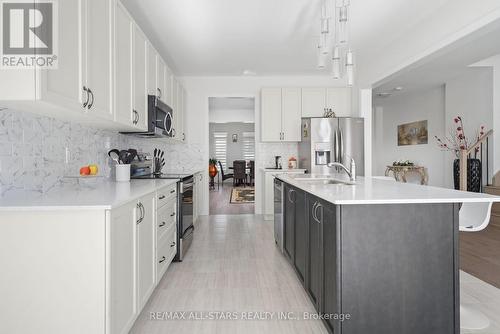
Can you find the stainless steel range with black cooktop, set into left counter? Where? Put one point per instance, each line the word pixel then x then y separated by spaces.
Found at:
pixel 185 227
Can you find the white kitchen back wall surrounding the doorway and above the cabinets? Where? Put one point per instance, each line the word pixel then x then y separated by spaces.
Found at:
pixel 199 89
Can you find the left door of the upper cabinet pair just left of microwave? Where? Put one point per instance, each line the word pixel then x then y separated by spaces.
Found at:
pixel 123 63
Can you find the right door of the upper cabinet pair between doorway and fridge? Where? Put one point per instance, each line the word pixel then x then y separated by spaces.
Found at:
pixel 291 114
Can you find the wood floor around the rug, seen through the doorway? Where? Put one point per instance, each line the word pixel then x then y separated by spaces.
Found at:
pixel 219 202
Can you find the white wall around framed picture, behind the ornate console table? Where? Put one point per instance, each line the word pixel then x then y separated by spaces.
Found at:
pixel 405 108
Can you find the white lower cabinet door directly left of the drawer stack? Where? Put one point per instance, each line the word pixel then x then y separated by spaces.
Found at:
pixel 145 249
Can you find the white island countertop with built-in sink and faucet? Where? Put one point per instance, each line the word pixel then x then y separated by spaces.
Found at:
pixel 377 191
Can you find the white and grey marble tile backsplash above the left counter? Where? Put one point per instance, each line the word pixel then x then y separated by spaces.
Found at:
pixel 38 153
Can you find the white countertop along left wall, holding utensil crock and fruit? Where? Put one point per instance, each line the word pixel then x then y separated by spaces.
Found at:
pixel 103 194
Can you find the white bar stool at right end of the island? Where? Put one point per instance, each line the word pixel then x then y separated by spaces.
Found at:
pixel 473 217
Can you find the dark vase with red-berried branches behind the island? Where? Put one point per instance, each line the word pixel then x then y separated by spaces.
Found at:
pixel 457 141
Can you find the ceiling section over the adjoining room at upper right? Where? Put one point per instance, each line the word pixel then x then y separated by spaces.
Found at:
pixel 446 64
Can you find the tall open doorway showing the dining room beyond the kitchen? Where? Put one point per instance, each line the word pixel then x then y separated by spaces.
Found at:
pixel 232 150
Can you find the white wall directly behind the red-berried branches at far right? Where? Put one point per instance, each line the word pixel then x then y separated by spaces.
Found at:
pixel 469 96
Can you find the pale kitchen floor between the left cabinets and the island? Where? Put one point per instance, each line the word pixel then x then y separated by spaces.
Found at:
pixel 233 265
